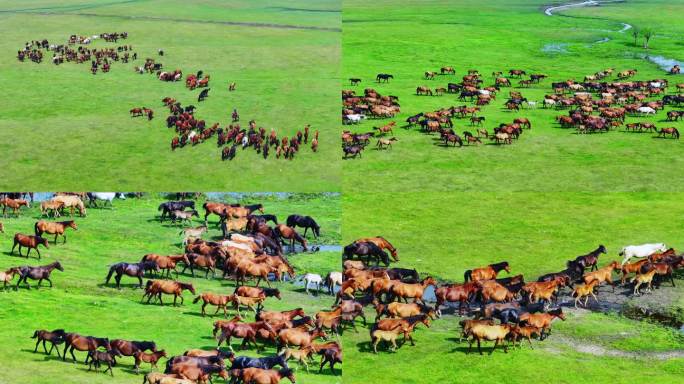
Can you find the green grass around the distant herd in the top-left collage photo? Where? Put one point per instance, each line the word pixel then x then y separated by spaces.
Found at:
pixel 74 129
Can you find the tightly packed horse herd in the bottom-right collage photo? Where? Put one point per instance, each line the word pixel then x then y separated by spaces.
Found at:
pixel 506 310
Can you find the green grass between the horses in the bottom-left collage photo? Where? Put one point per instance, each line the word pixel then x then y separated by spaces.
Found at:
pixel 81 302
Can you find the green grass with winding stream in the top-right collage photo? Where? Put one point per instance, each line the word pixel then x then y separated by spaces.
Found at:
pixel 422 35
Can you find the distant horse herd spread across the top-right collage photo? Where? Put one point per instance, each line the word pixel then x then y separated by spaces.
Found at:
pixel 616 99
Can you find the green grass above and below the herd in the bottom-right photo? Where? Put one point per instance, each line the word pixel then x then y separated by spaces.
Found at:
pixel 445 234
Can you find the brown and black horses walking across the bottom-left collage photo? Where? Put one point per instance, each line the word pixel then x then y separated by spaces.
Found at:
pixel 255 252
